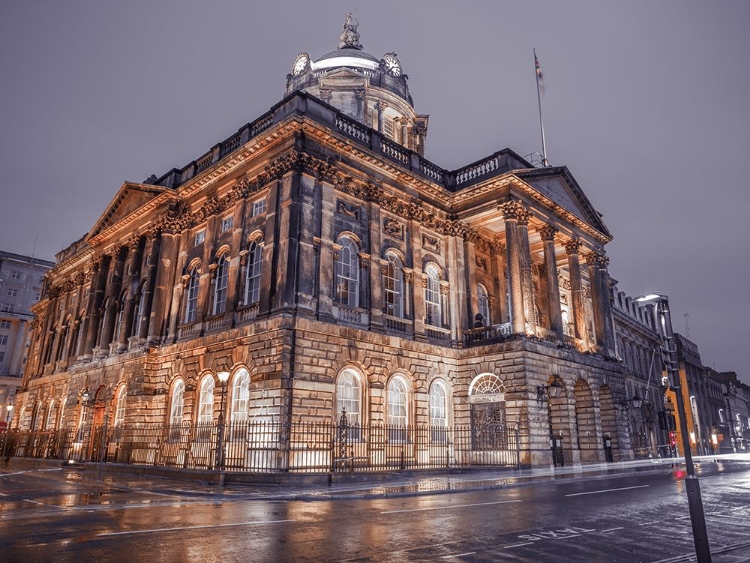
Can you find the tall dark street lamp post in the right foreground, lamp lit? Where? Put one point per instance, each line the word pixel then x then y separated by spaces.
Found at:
pixel 695 503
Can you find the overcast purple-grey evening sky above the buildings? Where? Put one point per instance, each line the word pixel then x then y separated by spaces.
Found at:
pixel 645 102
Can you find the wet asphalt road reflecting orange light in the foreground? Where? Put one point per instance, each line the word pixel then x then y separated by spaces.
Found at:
pixel 58 516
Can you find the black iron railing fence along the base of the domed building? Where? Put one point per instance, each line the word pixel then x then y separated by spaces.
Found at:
pixel 251 446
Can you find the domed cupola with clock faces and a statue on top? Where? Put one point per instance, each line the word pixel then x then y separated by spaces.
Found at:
pixel 371 90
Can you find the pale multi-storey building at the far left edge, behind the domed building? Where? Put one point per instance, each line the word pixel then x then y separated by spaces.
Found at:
pixel 21 279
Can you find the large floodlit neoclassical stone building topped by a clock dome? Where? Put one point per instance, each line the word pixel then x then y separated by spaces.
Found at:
pixel 318 258
